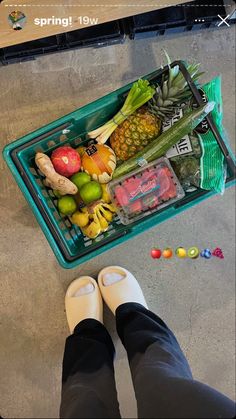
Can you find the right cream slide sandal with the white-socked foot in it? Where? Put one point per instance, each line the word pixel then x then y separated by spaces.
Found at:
pixel 119 286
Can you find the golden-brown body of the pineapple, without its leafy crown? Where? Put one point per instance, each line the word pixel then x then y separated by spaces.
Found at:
pixel 135 133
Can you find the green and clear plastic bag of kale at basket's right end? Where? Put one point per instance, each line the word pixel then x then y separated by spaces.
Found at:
pixel 197 159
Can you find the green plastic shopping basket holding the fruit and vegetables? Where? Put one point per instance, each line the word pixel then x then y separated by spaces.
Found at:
pixel 70 246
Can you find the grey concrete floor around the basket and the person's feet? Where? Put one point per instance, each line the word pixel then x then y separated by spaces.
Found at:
pixel 196 298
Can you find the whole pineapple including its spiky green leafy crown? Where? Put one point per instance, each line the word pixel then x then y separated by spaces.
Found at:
pixel 144 125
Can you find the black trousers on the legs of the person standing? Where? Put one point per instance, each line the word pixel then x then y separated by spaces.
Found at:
pixel 162 379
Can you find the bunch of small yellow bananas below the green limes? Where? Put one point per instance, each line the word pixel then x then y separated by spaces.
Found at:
pixel 94 219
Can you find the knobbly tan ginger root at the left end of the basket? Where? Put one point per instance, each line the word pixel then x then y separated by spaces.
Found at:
pixel 53 179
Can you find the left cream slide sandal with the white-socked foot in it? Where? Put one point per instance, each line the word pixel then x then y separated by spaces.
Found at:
pixel 83 306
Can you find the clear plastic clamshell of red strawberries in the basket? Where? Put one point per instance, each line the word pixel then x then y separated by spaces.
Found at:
pixel 145 190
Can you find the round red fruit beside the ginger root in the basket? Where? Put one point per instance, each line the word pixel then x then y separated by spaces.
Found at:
pixel 66 161
